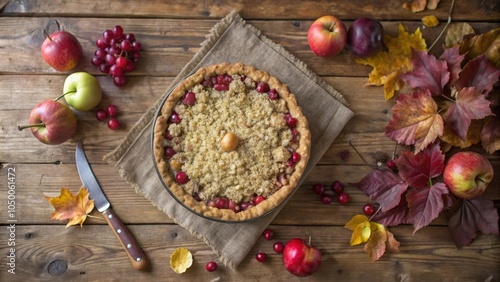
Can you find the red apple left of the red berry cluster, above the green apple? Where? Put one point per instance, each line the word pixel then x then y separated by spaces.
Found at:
pixel 61 50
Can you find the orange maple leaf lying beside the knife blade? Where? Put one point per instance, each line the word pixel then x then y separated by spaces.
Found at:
pixel 72 207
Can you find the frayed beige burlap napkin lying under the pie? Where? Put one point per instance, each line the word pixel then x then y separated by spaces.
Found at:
pixel 232 40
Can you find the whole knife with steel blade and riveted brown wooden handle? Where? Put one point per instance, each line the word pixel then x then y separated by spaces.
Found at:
pixel 135 253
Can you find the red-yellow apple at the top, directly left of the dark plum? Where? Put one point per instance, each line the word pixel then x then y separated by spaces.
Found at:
pixel 327 36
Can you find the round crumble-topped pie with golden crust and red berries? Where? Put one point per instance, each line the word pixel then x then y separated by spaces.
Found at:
pixel 230 142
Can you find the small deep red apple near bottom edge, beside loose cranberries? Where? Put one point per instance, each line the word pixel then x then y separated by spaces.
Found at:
pixel 300 258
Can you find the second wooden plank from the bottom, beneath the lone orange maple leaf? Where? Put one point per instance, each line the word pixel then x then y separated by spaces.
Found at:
pixel 35 180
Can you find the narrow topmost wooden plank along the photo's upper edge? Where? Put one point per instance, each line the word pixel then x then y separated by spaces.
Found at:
pixel 269 9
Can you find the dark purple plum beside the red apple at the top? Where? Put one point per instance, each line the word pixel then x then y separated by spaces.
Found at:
pixel 365 36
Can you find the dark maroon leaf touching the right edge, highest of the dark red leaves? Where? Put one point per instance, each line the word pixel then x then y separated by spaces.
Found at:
pixel 479 73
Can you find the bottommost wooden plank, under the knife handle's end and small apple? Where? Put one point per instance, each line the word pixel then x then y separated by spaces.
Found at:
pixel 92 253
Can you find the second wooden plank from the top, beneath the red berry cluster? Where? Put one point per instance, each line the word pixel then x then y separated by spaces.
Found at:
pixel 168 44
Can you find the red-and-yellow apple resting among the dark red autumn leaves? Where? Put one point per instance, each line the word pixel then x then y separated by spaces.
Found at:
pixel 467 174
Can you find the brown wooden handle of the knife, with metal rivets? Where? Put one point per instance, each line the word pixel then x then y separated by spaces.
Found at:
pixel 135 253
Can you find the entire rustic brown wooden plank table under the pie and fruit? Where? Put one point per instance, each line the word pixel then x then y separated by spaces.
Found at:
pixel 170 34
